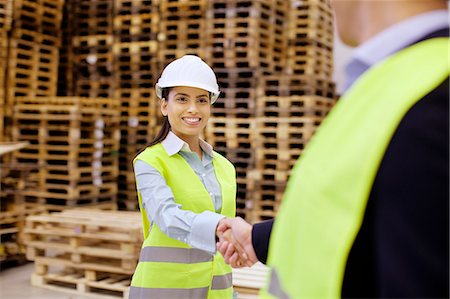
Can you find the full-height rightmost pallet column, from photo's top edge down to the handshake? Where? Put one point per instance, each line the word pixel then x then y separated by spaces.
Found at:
pixel 291 105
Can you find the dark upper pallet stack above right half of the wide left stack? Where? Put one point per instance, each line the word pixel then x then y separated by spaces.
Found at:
pixel 92 44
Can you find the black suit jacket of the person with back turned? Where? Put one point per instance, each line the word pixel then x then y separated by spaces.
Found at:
pixel 402 249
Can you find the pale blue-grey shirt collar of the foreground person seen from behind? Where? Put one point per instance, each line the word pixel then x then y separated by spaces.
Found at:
pixel 392 40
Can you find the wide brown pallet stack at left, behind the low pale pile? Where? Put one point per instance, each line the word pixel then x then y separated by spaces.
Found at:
pixel 74 141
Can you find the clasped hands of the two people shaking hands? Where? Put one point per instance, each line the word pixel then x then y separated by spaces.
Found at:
pixel 235 242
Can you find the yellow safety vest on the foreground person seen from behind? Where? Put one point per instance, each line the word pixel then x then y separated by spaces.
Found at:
pixel 326 196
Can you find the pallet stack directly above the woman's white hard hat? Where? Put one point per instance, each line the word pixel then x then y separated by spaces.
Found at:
pixel 182 29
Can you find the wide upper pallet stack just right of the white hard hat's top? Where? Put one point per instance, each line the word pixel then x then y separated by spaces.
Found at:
pixel 247 34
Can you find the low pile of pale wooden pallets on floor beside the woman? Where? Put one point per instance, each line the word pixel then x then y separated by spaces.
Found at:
pixel 86 239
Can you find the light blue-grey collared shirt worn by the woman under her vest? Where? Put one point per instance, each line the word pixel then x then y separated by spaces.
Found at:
pixel 196 230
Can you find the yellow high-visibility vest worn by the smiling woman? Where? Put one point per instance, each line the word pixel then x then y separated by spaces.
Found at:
pixel 169 268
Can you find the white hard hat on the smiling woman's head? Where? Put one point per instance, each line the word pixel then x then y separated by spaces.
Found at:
pixel 189 70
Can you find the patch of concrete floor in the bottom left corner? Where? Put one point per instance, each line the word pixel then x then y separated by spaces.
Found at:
pixel 15 284
